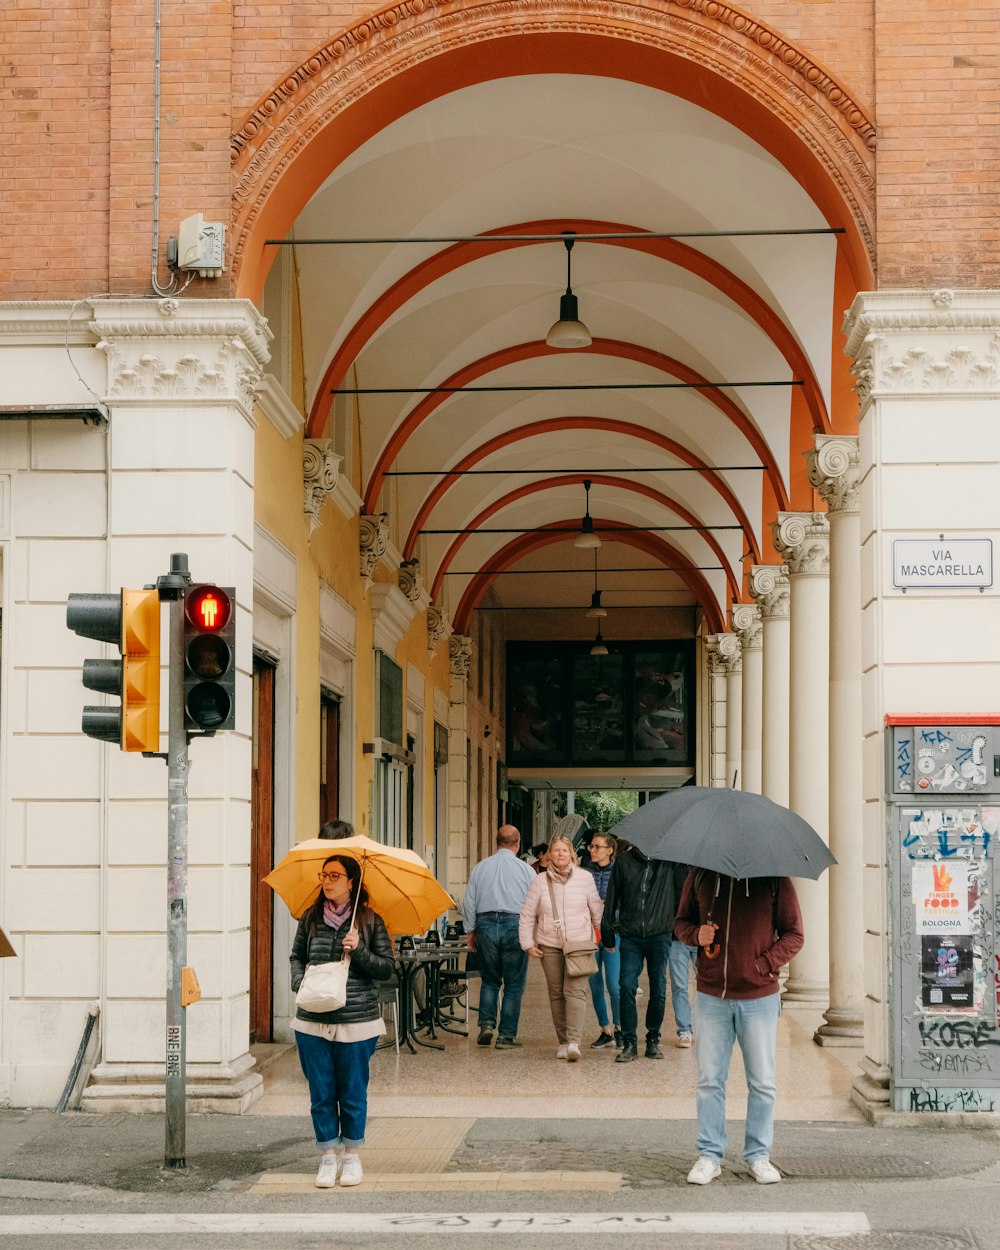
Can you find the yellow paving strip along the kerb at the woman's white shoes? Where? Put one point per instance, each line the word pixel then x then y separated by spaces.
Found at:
pixel 438 1183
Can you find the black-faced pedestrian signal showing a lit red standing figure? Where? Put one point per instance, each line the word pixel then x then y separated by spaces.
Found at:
pixel 209 658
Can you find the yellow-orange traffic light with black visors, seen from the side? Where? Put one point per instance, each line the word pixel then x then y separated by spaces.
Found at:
pixel 131 621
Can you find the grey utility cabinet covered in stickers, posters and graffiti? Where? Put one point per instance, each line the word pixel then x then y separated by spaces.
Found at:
pixel 943 792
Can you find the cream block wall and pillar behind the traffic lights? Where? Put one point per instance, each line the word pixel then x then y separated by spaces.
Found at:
pixel 83 826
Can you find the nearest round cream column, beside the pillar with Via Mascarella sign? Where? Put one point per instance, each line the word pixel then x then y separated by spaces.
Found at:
pixel 833 471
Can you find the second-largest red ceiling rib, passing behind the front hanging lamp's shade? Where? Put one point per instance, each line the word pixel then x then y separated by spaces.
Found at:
pixel 601 347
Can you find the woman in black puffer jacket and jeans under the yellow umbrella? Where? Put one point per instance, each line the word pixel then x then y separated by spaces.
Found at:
pixel 336 1048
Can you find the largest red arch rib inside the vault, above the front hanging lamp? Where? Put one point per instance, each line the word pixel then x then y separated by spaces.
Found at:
pixel 466 253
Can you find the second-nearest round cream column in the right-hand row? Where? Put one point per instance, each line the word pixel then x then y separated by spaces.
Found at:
pixel 803 542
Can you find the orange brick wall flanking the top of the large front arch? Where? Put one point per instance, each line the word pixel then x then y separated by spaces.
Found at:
pixel 77 127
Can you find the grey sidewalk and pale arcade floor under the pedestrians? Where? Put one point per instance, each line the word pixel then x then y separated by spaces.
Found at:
pixel 469 1117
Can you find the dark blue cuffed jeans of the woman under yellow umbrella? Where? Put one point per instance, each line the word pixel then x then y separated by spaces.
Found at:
pixel 338 1088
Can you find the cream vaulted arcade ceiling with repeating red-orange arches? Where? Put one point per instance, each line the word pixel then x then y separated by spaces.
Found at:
pixel 468 422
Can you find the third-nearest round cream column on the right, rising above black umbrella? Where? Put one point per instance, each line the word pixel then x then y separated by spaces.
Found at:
pixel 769 586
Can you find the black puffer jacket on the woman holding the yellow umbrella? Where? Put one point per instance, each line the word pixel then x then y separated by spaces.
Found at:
pixel 372 962
